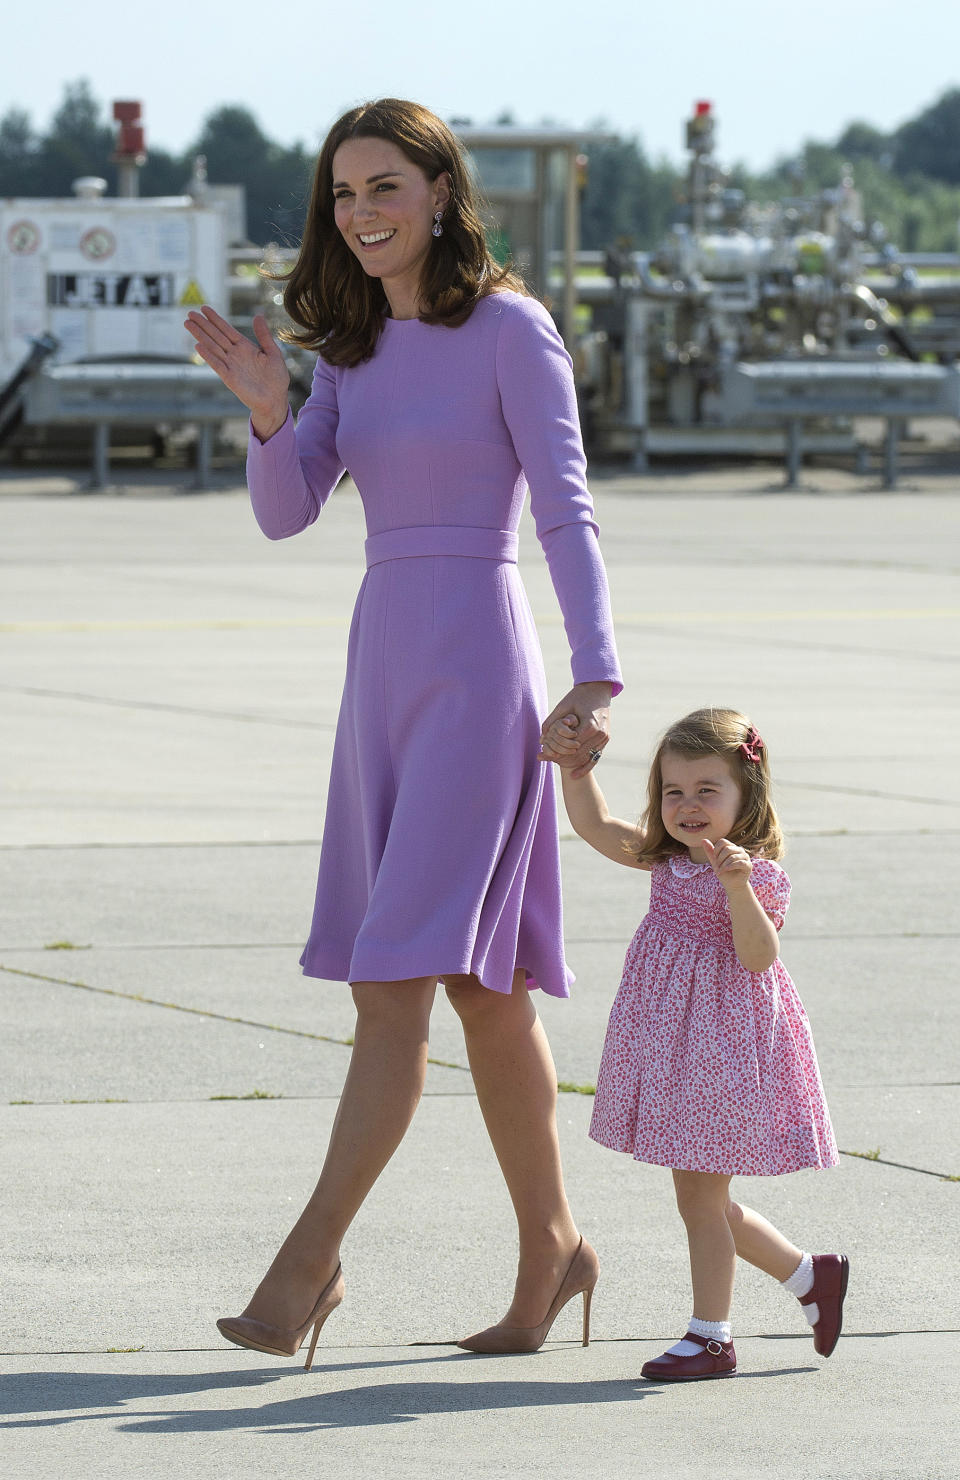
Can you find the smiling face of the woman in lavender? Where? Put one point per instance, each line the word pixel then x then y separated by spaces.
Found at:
pixel 384 209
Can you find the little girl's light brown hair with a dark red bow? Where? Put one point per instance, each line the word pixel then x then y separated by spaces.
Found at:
pixel 730 735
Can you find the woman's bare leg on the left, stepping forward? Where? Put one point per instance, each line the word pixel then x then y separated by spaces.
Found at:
pixel 381 1093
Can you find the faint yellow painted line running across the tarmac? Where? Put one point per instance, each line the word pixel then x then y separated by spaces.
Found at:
pixel 544 619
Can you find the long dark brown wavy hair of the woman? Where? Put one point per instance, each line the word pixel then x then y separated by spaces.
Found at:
pixel 328 294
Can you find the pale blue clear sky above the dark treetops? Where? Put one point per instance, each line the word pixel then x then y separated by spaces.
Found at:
pixel 776 73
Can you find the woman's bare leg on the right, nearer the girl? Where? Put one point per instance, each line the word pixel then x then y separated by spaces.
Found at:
pixel 516 1086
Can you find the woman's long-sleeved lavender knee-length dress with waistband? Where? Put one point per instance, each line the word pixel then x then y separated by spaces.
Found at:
pixel 440 850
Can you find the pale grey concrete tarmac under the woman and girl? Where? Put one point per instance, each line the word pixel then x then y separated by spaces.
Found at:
pixel 168 1080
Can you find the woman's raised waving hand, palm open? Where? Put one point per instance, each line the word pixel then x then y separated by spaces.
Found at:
pixel 255 374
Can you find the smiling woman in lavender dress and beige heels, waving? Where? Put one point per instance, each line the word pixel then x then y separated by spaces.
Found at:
pixel 442 387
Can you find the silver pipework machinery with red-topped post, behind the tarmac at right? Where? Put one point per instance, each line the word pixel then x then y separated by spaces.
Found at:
pixel 770 328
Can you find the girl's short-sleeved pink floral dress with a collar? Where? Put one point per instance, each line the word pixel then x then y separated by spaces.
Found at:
pixel 709 1068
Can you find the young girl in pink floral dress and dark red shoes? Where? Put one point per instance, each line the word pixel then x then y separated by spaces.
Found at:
pixel 709 1065
